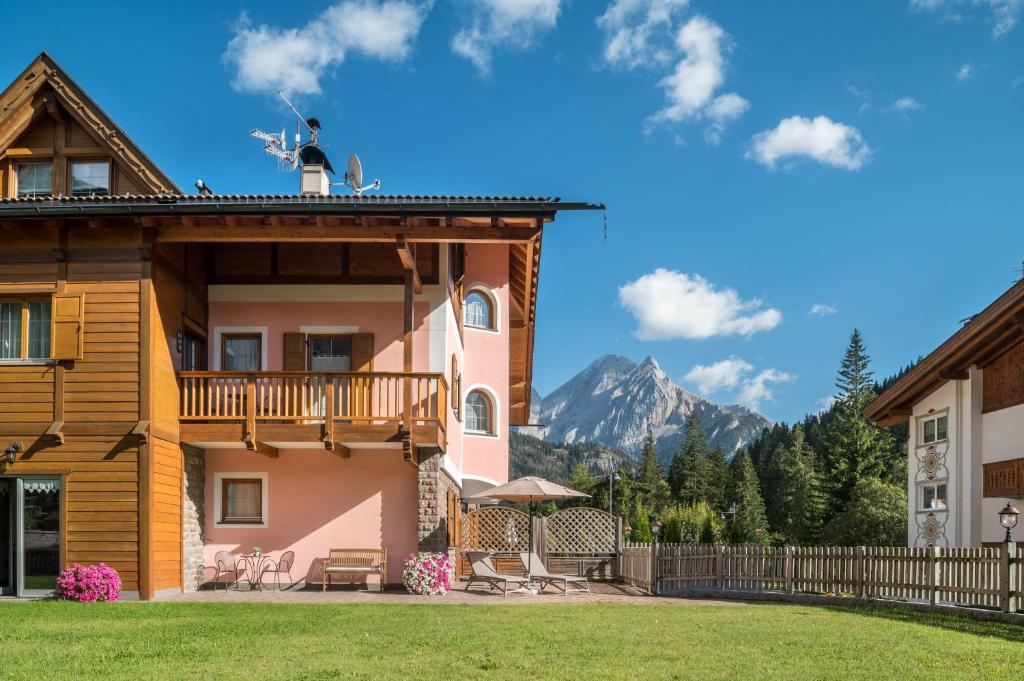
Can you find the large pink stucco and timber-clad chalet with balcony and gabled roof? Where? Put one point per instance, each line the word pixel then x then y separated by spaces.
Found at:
pixel 186 374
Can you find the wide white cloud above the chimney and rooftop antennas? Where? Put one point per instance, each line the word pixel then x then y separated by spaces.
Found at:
pixel 268 59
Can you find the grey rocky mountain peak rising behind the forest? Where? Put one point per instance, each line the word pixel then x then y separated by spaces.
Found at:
pixel 615 401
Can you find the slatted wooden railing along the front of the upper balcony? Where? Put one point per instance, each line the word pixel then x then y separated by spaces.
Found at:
pixel 365 398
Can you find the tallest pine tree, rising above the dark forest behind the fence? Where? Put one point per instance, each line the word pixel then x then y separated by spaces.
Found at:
pixel 856 449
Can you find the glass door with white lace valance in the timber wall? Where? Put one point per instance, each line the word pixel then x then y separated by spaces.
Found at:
pixel 37 531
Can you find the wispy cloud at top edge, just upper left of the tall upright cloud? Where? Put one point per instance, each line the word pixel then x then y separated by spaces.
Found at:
pixel 638 33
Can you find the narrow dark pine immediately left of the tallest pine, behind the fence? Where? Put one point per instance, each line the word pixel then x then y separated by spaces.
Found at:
pixel 800 504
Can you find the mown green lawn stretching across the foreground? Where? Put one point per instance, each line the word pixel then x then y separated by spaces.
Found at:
pixel 56 641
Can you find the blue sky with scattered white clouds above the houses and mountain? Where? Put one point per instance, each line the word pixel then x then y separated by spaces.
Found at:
pixel 863 157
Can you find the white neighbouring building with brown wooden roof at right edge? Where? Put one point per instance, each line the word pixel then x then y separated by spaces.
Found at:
pixel 965 405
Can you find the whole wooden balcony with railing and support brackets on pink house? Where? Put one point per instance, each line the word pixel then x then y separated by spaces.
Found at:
pixel 267 411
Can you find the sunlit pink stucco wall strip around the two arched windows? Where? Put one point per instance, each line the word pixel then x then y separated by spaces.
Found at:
pixel 487 361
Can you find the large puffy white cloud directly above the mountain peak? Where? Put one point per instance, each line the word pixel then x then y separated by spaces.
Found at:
pixel 670 305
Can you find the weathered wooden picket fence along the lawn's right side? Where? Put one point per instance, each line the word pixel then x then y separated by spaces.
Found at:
pixel 992 578
